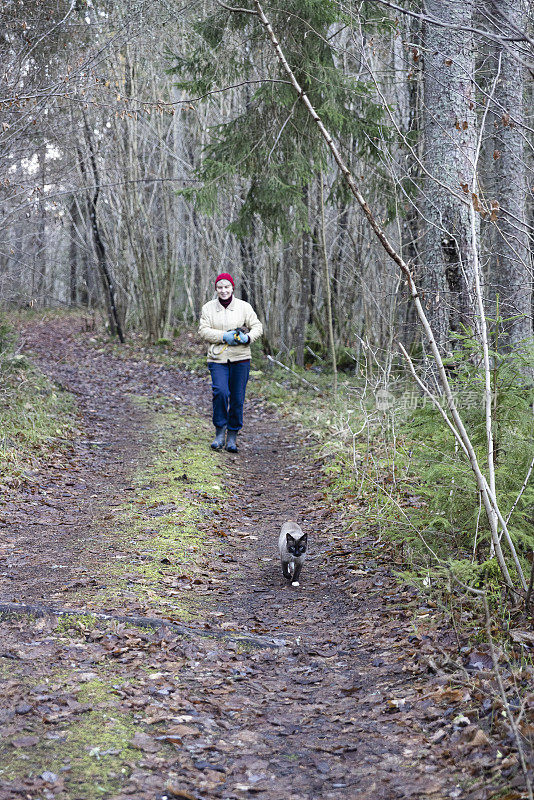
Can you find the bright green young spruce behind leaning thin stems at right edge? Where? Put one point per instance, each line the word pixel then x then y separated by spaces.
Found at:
pixel 447 481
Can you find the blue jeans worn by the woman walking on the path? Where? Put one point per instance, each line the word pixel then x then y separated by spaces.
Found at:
pixel 228 383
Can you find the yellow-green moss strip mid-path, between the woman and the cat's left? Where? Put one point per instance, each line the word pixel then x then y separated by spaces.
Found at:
pixel 156 532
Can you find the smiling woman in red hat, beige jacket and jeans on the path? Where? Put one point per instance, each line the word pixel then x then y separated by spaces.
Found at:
pixel 229 325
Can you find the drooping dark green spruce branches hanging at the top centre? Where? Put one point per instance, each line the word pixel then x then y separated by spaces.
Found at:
pixel 271 143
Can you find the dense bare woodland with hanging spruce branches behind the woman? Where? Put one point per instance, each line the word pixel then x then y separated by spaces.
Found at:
pixel 101 134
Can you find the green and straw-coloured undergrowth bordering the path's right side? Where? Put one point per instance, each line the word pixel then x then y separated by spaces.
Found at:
pixel 394 466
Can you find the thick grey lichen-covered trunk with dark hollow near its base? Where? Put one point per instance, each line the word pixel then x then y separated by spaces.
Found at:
pixel 448 153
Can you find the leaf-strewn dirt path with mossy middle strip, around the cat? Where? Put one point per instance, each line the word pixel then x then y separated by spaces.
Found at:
pixel 261 689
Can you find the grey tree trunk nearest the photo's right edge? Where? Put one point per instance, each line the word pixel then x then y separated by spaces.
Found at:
pixel 512 277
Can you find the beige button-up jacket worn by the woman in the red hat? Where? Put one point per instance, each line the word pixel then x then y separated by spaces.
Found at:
pixel 215 320
